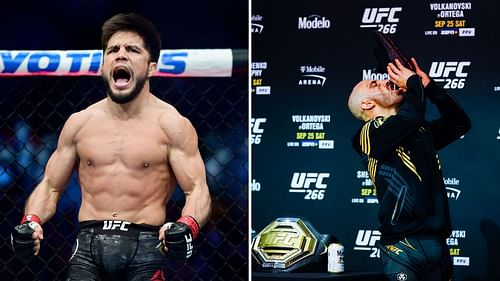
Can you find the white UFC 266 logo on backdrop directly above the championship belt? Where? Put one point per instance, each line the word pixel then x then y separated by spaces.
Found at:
pixel 312 184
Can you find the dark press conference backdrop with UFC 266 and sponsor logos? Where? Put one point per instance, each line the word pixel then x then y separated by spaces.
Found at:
pixel 307 56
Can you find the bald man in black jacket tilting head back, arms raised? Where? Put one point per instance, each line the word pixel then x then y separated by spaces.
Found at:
pixel 399 148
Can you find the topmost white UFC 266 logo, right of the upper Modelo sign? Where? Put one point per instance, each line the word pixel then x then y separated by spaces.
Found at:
pixel 384 19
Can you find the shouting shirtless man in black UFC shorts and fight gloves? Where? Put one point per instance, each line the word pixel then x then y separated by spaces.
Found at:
pixel 131 149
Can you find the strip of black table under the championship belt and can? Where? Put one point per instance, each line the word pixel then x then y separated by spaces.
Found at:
pixel 351 276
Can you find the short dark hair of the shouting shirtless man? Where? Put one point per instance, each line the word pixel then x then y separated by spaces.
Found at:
pixel 135 23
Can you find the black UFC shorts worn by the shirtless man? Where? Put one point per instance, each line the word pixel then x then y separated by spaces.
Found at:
pixel 116 250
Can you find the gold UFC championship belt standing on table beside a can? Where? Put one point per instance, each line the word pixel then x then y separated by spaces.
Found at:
pixel 289 244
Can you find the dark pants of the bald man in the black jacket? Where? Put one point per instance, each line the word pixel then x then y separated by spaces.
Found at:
pixel 417 258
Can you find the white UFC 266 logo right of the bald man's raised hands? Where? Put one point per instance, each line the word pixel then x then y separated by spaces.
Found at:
pixel 452 73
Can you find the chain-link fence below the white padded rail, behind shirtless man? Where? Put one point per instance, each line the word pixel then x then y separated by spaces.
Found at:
pixel 32 113
